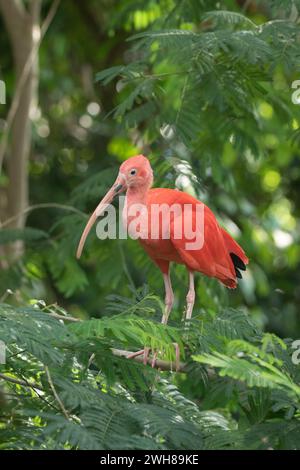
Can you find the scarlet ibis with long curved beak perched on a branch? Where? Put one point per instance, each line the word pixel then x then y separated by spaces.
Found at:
pixel 218 256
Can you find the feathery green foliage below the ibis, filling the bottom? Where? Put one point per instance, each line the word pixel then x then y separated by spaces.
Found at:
pixel 64 387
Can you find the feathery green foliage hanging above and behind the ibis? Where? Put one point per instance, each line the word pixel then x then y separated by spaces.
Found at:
pixel 204 79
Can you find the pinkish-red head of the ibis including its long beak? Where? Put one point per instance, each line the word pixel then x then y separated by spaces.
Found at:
pixel 136 172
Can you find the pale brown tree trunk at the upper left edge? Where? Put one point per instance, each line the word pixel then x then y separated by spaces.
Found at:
pixel 23 29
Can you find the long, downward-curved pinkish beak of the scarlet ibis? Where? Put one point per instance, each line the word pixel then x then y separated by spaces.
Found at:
pixel 118 187
